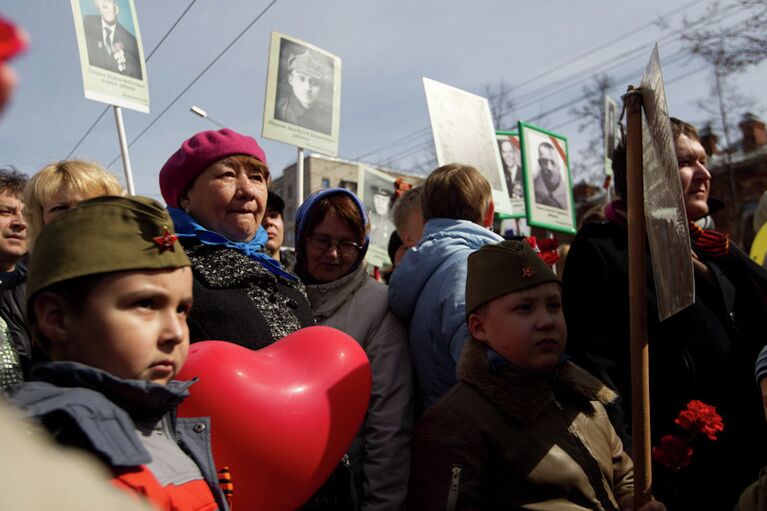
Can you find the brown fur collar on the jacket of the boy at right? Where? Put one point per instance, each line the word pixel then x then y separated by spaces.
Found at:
pixel 523 396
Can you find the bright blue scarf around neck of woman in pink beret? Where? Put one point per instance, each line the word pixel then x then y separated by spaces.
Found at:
pixel 187 227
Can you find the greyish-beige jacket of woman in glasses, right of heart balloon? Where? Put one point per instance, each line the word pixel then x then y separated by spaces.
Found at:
pixel 380 456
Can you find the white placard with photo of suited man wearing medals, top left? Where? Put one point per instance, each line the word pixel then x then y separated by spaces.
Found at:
pixel 111 53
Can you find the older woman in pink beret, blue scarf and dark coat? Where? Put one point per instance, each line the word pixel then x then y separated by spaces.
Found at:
pixel 215 186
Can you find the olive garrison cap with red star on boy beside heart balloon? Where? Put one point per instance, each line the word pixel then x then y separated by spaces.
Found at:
pixel 104 235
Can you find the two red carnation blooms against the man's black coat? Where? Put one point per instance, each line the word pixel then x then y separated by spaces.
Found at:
pixel 697 421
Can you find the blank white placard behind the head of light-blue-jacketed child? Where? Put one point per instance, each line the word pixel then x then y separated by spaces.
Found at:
pixel 463 132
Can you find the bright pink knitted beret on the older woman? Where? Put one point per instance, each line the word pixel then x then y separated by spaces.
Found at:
pixel 197 154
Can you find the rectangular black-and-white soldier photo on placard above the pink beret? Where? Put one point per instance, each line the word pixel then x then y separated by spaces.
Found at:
pixel 304 88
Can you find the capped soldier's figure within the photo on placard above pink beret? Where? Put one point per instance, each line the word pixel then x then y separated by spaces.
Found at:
pixel 300 98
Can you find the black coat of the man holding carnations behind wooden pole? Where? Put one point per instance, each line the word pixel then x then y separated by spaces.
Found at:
pixel 707 352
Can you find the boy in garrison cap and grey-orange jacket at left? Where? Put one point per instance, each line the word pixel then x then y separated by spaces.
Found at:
pixel 109 290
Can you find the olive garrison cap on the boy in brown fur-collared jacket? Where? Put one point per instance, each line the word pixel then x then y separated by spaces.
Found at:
pixel 503 268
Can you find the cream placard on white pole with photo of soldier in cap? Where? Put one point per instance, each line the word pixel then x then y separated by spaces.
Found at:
pixel 303 95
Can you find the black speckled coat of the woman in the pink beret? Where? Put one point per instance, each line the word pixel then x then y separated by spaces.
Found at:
pixel 236 299
